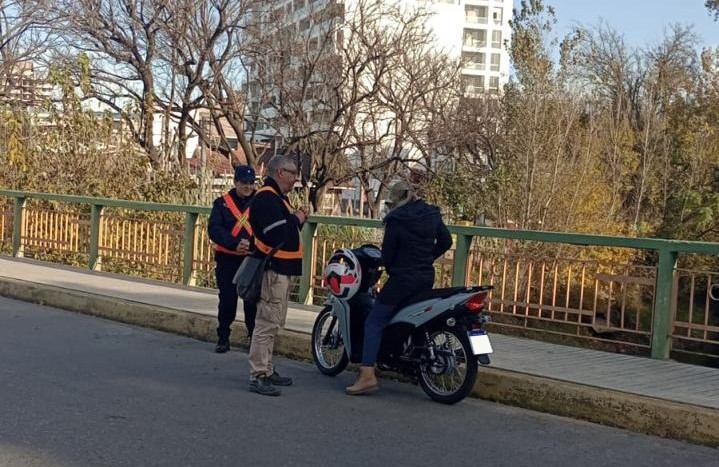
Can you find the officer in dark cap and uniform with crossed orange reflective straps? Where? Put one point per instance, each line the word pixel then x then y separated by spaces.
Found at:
pixel 231 233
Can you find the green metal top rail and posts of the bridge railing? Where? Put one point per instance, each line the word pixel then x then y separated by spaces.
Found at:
pixel 667 250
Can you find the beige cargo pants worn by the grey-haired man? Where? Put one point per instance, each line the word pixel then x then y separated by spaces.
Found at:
pixel 271 316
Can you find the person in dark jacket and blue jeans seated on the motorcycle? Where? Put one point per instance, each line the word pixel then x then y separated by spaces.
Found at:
pixel 415 236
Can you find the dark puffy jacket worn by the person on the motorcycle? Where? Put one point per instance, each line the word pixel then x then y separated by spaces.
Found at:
pixel 414 237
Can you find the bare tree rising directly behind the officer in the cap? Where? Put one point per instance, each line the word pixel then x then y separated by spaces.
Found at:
pixel 204 48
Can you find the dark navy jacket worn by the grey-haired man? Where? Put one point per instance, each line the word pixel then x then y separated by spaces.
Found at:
pixel 274 223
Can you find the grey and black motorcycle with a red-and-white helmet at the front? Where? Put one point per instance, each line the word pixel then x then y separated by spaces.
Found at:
pixel 436 338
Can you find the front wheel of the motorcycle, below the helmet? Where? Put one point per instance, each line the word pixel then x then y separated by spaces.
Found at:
pixel 328 350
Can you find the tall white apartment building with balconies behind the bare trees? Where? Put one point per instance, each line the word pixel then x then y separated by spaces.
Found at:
pixel 477 32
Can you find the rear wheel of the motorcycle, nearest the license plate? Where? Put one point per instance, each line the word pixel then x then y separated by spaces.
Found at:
pixel 449 376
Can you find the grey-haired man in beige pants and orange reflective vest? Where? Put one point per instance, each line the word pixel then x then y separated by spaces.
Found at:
pixel 276 224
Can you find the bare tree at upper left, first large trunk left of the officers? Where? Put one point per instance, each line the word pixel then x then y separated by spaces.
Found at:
pixel 120 37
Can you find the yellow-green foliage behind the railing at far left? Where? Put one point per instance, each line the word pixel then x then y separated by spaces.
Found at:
pixel 68 149
